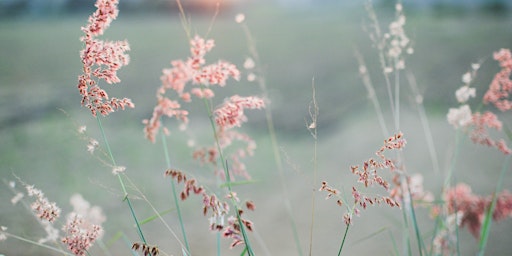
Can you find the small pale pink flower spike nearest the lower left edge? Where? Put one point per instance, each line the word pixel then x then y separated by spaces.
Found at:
pixel 44 209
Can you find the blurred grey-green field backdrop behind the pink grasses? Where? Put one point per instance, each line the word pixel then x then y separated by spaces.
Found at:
pixel 298 41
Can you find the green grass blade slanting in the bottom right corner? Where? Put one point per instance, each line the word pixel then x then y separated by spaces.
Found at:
pixel 486 227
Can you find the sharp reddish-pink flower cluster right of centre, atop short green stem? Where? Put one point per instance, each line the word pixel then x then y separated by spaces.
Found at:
pixel 368 176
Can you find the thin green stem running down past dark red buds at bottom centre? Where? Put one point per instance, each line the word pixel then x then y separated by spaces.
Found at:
pixel 228 178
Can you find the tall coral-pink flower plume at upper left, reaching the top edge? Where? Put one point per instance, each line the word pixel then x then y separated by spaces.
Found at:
pixel 101 60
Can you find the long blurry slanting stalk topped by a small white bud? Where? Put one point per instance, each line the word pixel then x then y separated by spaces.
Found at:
pixel 273 138
